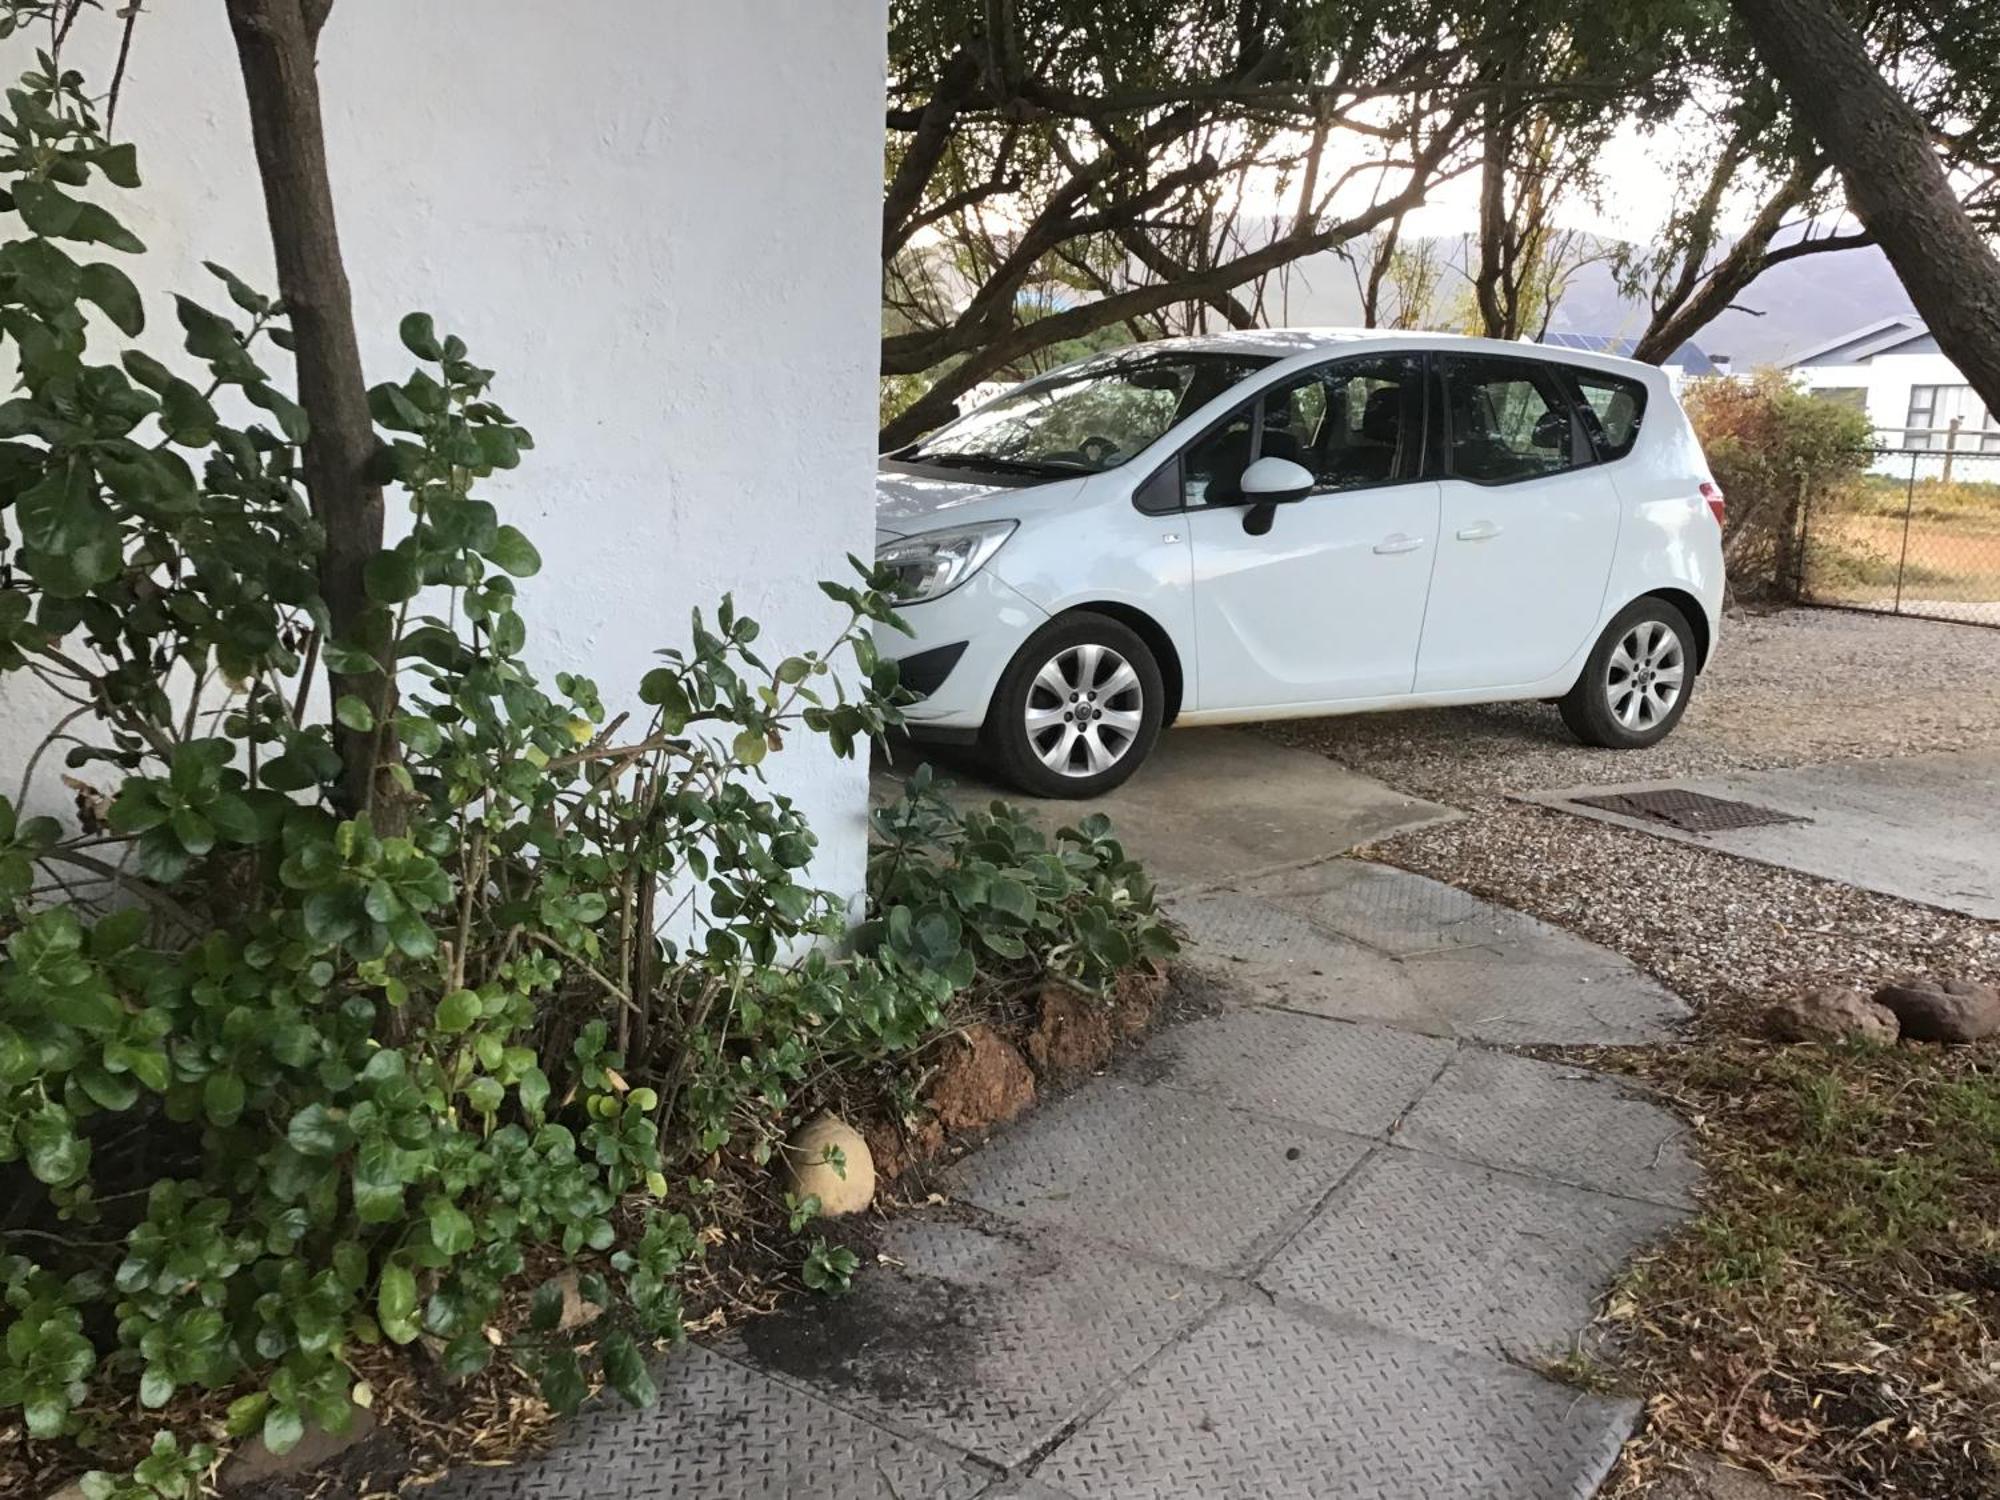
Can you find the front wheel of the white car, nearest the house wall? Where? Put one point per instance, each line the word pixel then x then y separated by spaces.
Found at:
pixel 1077 711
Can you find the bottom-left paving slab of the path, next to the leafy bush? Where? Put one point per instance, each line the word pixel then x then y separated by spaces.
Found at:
pixel 723 1429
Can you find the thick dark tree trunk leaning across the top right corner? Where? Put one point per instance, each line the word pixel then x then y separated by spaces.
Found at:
pixel 1895 181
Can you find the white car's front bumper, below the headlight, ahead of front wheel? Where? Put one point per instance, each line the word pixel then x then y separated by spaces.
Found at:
pixel 987 619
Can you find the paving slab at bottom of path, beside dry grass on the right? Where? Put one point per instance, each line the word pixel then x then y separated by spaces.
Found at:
pixel 1265 1405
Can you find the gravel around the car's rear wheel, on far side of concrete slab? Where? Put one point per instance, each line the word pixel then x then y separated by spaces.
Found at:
pixel 1787 691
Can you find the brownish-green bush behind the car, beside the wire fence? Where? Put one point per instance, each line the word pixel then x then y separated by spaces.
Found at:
pixel 1773 447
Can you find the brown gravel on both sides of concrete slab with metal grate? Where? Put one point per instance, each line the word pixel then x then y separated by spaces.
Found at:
pixel 1725 933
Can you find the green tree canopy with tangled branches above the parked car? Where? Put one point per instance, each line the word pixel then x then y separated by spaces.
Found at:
pixel 1063 173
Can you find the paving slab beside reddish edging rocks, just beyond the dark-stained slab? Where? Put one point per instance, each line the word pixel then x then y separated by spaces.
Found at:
pixel 1161 1171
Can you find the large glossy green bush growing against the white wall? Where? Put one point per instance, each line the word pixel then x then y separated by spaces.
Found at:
pixel 283 1077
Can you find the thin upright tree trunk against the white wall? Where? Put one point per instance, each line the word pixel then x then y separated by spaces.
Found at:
pixel 275 45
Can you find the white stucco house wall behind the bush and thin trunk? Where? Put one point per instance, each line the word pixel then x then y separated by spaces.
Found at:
pixel 655 219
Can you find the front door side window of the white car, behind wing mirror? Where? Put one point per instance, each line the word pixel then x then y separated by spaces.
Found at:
pixel 1351 425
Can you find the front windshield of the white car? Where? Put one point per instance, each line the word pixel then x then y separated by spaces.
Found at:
pixel 1087 419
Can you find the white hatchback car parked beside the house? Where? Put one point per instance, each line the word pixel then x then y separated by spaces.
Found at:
pixel 1299 523
